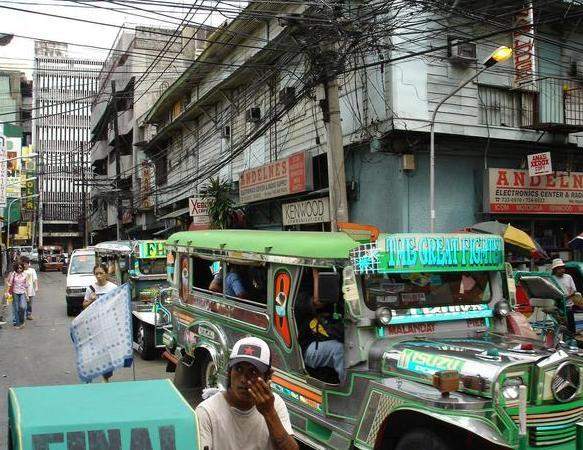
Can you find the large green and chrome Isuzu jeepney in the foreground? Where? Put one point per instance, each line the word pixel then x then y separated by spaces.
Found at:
pixel 427 350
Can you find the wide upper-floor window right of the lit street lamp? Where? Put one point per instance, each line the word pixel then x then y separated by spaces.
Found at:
pixel 504 107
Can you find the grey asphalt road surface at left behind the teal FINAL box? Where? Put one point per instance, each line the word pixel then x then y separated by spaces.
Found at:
pixel 42 353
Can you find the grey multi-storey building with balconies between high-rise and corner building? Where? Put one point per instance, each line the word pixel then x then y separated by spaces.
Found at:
pixel 142 64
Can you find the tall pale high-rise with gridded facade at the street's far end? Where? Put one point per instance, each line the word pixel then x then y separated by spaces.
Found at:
pixel 64 89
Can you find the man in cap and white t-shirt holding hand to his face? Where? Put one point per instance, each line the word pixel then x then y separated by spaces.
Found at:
pixel 248 415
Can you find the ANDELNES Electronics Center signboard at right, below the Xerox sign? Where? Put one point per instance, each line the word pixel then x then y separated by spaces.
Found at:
pixel 509 191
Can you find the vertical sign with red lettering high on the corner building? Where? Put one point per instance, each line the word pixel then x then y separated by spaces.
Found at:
pixel 523 51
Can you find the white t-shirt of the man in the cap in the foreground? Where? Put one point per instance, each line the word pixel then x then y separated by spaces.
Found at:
pixel 222 427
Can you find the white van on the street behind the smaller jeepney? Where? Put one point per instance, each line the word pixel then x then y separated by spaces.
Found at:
pixel 79 277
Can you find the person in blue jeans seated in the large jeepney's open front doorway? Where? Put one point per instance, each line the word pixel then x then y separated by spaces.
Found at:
pixel 320 331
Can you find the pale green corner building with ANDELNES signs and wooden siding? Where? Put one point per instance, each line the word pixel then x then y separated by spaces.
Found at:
pixel 220 120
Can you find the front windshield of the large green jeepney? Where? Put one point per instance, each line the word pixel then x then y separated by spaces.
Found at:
pixel 417 290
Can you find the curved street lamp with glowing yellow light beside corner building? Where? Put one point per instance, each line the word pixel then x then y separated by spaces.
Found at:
pixel 500 54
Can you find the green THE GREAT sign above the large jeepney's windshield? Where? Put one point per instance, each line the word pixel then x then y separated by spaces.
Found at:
pixel 404 253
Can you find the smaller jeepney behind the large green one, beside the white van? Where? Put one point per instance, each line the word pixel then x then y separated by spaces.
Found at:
pixel 142 263
